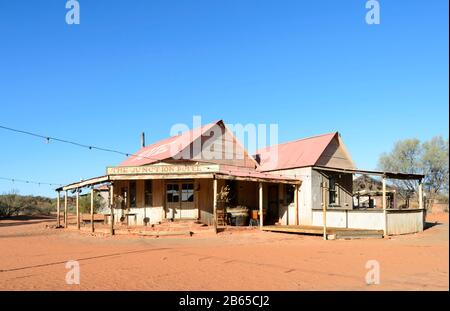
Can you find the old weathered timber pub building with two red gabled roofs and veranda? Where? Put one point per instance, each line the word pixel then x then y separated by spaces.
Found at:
pixel 202 174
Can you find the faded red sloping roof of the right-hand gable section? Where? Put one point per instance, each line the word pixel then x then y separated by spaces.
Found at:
pixel 299 153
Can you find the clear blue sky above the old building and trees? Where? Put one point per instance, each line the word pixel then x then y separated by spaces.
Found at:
pixel 132 66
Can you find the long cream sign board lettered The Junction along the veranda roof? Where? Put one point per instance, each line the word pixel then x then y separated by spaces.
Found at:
pixel 162 169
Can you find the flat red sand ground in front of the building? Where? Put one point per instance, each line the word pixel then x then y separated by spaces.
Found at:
pixel 33 257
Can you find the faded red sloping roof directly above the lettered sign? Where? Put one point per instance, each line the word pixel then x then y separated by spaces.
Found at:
pixel 166 148
